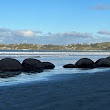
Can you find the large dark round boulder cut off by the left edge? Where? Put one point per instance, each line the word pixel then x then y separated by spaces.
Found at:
pixel 10 67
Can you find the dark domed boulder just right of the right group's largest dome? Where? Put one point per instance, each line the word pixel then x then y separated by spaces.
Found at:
pixel 102 62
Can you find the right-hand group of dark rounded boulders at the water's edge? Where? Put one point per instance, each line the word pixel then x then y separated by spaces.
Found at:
pixel 88 63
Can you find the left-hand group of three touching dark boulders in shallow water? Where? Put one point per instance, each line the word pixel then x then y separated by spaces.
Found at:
pixel 10 67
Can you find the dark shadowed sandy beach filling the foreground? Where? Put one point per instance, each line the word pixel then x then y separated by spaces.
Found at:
pixel 80 92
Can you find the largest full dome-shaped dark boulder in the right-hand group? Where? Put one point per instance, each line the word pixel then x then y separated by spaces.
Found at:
pixel 84 63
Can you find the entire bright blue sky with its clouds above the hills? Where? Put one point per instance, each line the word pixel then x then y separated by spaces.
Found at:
pixel 54 21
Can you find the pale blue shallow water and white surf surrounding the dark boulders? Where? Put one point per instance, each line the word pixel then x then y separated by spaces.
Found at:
pixel 58 58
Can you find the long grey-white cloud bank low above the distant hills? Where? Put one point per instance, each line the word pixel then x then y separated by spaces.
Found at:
pixel 37 37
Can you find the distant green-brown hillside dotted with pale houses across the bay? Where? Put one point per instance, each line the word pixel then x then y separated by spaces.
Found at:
pixel 95 46
